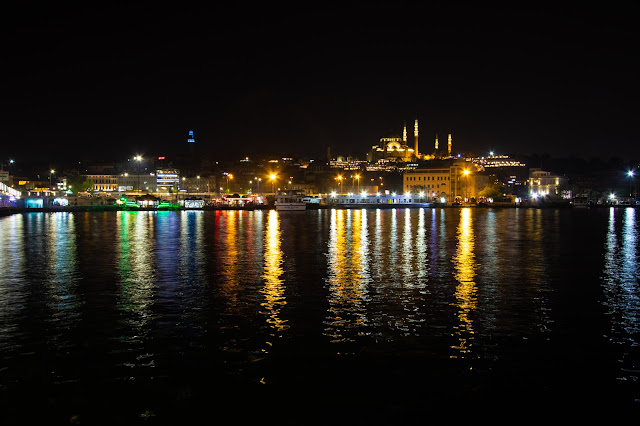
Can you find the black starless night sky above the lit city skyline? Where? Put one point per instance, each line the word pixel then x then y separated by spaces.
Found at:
pixel 104 82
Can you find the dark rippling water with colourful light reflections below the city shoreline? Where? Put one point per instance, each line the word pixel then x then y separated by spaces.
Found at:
pixel 330 316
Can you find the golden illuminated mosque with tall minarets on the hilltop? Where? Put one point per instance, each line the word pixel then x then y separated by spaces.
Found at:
pixel 395 149
